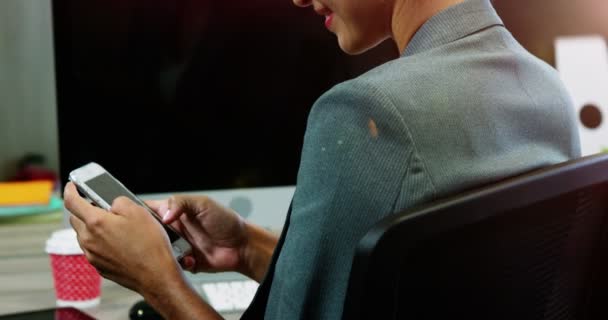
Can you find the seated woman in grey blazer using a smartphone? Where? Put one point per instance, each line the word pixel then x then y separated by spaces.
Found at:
pixel 464 105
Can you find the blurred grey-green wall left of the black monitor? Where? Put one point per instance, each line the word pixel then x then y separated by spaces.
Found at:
pixel 28 121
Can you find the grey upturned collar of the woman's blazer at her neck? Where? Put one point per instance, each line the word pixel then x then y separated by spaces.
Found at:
pixel 453 23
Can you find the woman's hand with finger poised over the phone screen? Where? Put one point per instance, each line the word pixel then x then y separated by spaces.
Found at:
pixel 221 239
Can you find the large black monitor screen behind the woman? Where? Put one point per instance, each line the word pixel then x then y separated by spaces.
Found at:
pixel 186 95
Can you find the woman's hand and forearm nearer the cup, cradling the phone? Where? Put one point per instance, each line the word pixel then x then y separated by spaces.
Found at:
pixel 128 246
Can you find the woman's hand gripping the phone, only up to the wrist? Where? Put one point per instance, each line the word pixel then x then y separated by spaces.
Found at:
pixel 126 245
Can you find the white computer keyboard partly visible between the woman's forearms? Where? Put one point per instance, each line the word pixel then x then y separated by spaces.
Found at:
pixel 227 296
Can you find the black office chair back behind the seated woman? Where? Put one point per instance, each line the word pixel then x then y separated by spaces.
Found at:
pixel 532 247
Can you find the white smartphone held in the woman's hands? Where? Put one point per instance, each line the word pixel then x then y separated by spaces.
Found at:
pixel 100 187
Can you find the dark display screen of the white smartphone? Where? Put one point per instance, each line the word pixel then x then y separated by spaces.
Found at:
pixel 109 189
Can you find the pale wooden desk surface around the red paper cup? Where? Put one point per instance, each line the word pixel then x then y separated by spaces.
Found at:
pixel 26 282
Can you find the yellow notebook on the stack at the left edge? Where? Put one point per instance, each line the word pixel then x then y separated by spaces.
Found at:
pixel 25 193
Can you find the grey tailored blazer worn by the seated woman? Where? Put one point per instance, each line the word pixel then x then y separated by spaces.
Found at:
pixel 464 106
